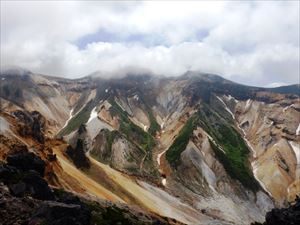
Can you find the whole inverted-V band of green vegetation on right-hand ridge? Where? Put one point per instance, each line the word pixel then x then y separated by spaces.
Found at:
pixel 235 158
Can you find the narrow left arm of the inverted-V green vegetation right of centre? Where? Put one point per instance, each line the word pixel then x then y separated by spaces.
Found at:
pixel 180 143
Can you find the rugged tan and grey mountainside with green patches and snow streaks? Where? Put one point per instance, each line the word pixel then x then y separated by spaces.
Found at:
pixel 196 148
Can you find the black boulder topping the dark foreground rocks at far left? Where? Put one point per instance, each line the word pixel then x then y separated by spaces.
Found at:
pixel 26 161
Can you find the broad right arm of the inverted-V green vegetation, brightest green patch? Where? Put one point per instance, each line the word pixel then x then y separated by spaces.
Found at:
pixel 235 158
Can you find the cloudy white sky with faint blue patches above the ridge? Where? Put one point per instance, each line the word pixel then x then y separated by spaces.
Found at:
pixel 254 43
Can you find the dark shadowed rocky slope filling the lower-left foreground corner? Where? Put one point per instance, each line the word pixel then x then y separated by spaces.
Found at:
pixel 26 198
